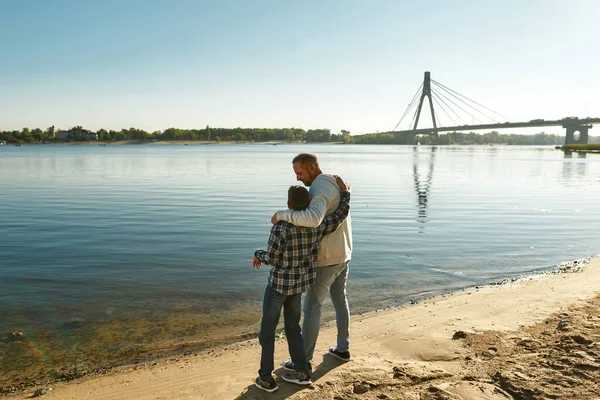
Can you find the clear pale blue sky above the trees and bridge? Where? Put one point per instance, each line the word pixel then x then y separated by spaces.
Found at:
pixel 344 64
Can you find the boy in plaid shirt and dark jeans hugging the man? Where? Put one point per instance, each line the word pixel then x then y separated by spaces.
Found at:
pixel 292 252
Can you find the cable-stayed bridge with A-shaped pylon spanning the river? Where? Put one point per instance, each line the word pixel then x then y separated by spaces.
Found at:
pixel 455 105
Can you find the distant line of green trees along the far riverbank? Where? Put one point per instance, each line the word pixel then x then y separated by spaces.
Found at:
pixel 78 133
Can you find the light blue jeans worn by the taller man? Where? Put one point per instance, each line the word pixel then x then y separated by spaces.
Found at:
pixel 330 279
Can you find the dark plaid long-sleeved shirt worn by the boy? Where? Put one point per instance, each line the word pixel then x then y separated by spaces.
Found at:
pixel 292 250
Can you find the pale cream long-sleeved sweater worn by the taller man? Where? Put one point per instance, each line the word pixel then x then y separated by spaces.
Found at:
pixel 336 247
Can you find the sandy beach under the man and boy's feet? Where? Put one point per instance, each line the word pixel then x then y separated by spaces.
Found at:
pixel 533 338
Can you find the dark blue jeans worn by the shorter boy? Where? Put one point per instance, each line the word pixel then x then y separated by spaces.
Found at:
pixel 291 316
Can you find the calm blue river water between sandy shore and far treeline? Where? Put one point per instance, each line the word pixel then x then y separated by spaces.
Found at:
pixel 114 254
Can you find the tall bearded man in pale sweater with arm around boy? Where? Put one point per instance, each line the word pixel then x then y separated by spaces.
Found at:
pixel 332 261
